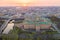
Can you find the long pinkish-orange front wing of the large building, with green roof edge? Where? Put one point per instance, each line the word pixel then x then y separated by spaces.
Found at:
pixel 36 25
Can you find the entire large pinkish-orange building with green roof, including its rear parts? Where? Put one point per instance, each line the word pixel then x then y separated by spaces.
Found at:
pixel 37 23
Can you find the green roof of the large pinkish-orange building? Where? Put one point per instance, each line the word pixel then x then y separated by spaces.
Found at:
pixel 45 21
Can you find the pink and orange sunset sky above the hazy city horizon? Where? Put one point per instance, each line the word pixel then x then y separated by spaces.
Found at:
pixel 29 2
